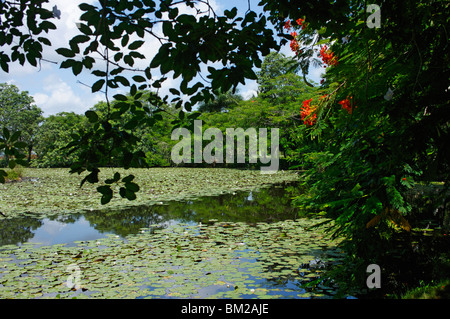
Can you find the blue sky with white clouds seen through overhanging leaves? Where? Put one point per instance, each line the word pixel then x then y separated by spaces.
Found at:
pixel 56 90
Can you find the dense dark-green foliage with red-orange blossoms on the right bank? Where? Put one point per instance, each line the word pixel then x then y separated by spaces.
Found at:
pixel 382 125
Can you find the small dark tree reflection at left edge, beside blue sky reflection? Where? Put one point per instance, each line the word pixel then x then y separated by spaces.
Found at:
pixel 18 230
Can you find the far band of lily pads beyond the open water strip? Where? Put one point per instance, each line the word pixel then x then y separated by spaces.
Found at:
pixel 54 191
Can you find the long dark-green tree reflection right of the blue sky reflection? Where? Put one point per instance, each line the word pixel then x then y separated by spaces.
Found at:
pixel 266 205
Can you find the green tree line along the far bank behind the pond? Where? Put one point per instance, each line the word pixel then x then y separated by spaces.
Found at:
pixel 277 105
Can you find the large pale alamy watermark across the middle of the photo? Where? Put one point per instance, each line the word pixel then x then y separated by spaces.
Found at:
pixel 257 146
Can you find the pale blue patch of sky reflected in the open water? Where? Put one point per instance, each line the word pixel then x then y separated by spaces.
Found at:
pixel 53 232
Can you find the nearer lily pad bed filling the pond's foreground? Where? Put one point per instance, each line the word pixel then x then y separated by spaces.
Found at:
pixel 213 260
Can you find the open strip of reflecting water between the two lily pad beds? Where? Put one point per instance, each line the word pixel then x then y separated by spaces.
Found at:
pixel 264 205
